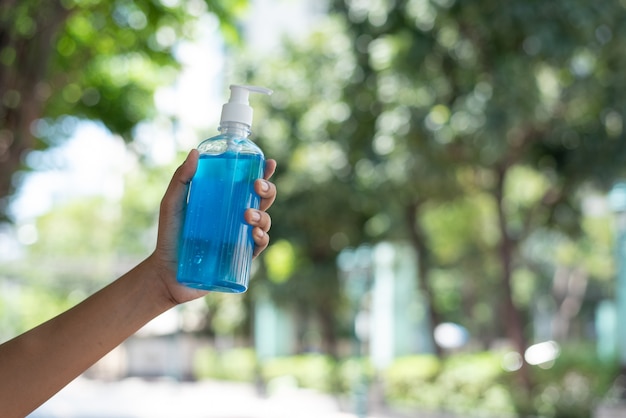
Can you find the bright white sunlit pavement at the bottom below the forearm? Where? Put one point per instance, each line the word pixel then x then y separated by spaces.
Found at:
pixel 139 398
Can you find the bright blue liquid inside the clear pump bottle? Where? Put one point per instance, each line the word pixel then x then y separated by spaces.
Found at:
pixel 216 243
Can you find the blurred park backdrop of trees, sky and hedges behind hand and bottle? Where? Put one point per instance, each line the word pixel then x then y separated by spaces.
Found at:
pixel 450 230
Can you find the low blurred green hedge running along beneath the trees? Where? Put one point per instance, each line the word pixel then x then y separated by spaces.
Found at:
pixel 468 385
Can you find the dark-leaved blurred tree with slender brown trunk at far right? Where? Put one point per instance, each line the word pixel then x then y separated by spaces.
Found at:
pixel 490 87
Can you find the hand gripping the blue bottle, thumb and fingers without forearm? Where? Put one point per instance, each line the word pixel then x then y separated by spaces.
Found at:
pixel 165 256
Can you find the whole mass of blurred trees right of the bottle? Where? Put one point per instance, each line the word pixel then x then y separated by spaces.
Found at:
pixel 504 111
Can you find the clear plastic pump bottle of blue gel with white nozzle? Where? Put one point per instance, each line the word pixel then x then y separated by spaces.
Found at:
pixel 215 251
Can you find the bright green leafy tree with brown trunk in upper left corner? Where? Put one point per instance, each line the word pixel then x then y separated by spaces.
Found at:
pixel 94 60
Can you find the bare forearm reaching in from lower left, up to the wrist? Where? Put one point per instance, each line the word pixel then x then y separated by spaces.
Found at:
pixel 37 364
